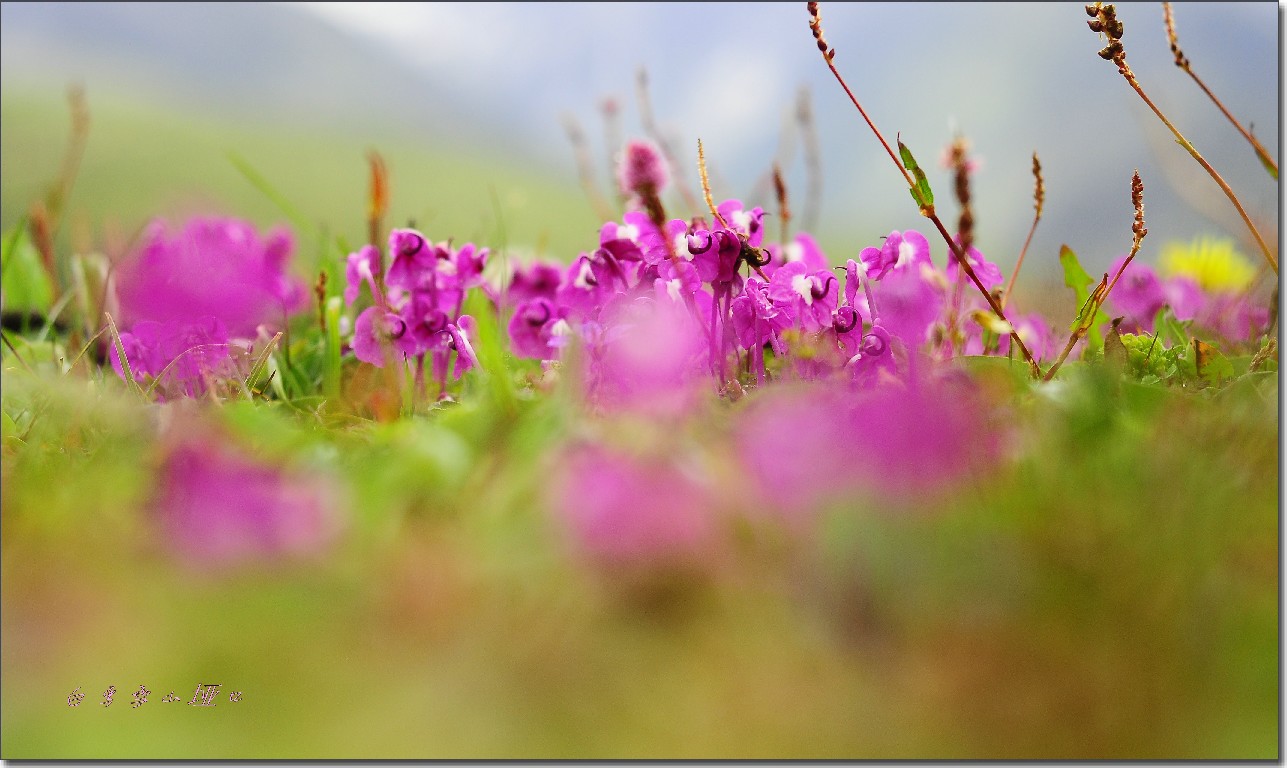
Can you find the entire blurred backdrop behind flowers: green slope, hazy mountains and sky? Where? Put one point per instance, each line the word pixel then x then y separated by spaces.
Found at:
pixel 467 105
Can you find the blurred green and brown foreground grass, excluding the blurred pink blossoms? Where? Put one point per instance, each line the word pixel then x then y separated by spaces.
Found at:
pixel 1111 594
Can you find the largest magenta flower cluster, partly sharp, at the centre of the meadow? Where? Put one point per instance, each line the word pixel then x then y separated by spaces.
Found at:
pixel 685 282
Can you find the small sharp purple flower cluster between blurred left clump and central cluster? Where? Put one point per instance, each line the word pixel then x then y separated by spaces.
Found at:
pixel 418 302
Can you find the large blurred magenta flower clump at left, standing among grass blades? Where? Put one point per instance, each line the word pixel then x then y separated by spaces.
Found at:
pixel 190 300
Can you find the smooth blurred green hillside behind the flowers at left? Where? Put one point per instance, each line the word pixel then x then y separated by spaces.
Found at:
pixel 144 161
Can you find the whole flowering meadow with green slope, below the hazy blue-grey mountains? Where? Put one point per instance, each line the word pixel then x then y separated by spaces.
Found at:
pixel 687 483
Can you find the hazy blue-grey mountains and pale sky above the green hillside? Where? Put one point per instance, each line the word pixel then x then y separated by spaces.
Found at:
pixel 1015 78
